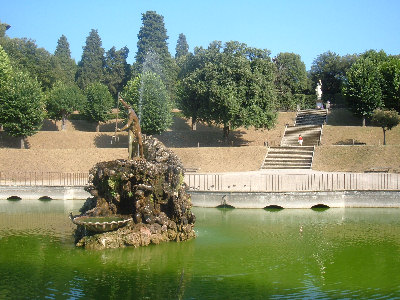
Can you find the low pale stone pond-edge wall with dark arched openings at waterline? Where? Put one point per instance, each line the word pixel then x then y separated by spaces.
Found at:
pixel 234 199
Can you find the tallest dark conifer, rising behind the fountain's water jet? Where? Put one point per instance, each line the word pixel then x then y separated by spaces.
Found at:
pixel 152 40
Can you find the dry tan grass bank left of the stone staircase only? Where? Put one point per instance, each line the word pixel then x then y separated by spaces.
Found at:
pixel 78 148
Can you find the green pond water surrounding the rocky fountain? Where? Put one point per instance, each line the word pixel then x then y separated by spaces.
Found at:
pixel 238 254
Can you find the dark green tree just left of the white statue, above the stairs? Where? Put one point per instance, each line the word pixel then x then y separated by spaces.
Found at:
pixel 291 79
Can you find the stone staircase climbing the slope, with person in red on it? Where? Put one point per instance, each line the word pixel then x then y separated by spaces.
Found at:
pixel 290 155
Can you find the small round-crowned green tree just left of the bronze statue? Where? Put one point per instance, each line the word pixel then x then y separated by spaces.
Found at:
pixel 99 103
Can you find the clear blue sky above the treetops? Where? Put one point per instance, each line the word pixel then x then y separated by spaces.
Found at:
pixel 305 27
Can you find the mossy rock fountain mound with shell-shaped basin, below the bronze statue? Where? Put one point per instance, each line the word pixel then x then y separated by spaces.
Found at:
pixel 136 202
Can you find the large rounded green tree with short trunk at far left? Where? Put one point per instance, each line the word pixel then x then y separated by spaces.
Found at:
pixel 21 106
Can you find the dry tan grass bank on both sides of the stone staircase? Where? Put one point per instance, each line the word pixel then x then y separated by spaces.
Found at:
pixel 78 148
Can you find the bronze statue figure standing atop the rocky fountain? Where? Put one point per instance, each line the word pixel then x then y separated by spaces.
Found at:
pixel 134 130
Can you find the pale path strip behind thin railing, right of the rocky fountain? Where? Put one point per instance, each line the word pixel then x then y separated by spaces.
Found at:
pixel 295 182
